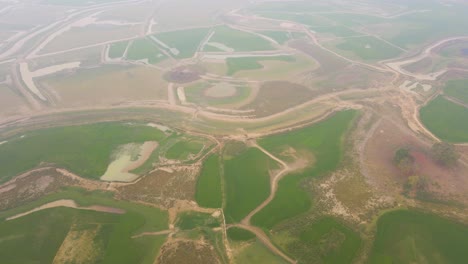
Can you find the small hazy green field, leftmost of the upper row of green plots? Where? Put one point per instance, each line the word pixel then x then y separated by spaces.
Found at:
pixel 142 49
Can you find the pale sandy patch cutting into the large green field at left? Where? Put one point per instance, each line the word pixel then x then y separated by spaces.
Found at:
pixel 129 157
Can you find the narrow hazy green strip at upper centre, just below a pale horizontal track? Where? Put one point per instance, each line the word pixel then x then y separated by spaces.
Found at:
pixel 252 63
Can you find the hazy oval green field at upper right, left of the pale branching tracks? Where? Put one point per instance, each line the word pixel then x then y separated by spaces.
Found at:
pixel 369 48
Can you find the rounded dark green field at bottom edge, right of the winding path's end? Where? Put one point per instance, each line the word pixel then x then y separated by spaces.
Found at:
pixel 325 241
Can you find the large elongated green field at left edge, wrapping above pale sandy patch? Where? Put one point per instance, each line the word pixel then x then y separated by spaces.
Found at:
pixel 85 150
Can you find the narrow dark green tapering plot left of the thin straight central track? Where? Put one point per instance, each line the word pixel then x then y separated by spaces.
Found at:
pixel 209 190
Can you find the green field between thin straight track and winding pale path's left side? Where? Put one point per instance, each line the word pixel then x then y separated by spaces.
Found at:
pixel 247 182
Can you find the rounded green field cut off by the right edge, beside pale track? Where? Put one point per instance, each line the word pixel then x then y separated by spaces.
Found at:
pixel 447 120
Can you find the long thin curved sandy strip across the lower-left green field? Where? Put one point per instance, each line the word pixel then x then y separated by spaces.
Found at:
pixel 69 204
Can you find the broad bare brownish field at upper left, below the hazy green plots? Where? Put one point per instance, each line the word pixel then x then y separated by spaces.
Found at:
pixel 106 86
